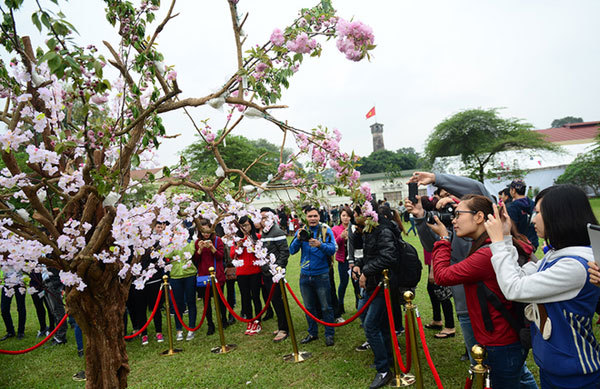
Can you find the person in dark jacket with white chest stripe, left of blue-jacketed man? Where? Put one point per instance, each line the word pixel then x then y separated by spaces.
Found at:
pixel 275 241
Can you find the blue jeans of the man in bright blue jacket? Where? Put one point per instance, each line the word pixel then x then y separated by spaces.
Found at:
pixel 316 290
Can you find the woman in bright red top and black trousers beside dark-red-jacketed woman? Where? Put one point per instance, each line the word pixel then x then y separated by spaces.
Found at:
pixel 248 273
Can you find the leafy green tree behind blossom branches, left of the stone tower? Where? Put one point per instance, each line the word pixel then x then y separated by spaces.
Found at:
pixel 238 153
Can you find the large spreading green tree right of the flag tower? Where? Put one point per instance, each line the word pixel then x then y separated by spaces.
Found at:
pixel 477 135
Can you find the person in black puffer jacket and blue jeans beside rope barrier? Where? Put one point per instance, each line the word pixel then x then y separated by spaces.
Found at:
pixel 380 252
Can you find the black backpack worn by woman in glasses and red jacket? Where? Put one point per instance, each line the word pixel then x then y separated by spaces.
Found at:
pixel 516 319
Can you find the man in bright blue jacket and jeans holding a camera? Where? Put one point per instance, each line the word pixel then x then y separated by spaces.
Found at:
pixel 314 272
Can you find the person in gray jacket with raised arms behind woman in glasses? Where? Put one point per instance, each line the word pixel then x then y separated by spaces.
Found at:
pixel 457 186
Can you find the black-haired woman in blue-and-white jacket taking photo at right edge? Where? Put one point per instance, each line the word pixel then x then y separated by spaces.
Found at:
pixel 562 297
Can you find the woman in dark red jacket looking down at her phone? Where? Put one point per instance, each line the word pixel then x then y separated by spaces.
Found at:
pixel 209 253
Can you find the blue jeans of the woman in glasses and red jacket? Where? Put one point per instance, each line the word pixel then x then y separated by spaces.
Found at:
pixel 507 364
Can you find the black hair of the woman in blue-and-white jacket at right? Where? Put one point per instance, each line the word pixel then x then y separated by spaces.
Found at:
pixel 566 211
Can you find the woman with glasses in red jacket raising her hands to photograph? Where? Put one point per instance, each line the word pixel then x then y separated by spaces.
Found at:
pixel 506 356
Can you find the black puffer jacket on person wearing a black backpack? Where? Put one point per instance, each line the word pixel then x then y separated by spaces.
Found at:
pixel 380 252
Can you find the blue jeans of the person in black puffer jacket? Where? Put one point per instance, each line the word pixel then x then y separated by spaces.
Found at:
pixel 377 332
